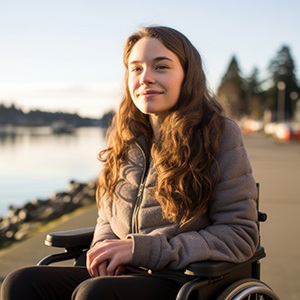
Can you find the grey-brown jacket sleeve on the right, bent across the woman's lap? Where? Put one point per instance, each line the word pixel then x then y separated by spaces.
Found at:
pixel 232 234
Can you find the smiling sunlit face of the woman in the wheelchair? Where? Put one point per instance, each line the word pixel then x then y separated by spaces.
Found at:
pixel 155 76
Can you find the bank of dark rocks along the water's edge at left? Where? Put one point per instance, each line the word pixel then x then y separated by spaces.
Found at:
pixel 21 221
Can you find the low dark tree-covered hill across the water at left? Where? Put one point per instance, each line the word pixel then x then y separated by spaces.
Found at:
pixel 11 115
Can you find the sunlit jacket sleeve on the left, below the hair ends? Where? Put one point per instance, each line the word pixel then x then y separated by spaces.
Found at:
pixel 103 230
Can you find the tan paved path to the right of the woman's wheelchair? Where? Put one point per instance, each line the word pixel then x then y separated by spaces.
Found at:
pixel 277 167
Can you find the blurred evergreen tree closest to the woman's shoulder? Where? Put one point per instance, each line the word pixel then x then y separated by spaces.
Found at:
pixel 231 92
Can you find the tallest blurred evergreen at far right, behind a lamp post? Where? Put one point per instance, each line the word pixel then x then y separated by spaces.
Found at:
pixel 285 89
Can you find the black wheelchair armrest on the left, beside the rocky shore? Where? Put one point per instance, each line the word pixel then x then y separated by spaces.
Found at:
pixel 71 239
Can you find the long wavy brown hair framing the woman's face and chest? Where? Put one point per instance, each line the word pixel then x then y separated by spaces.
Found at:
pixel 185 152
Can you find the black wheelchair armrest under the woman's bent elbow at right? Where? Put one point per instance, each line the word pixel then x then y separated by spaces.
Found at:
pixel 219 268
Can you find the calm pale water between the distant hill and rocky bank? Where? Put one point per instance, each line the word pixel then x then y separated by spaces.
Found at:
pixel 35 163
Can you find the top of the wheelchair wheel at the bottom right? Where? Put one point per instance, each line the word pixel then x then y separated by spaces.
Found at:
pixel 248 289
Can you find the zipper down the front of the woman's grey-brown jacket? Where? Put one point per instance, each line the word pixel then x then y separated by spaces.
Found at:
pixel 135 223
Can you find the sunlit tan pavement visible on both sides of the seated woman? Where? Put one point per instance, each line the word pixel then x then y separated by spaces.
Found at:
pixel 276 167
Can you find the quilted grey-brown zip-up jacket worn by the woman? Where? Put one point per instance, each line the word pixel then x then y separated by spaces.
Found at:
pixel 228 232
